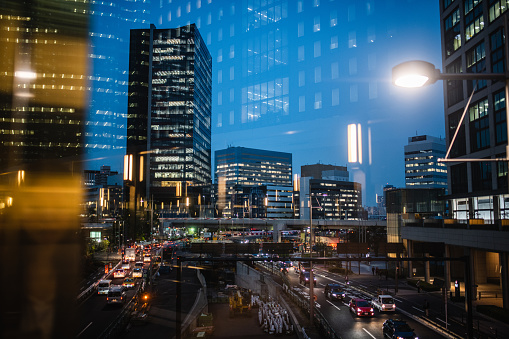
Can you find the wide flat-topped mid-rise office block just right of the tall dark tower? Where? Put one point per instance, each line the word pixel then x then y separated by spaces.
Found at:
pixel 238 169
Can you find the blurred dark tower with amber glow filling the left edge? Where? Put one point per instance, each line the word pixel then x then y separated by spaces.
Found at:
pixel 43 58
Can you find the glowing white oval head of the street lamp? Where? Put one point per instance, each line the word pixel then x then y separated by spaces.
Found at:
pixel 413 74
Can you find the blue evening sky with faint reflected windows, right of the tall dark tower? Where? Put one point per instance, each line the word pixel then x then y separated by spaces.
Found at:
pixel 296 73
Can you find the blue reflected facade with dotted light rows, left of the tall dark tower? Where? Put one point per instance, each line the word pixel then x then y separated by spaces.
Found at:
pixel 105 125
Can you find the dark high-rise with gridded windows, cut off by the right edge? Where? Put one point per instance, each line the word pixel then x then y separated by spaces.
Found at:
pixel 473 41
